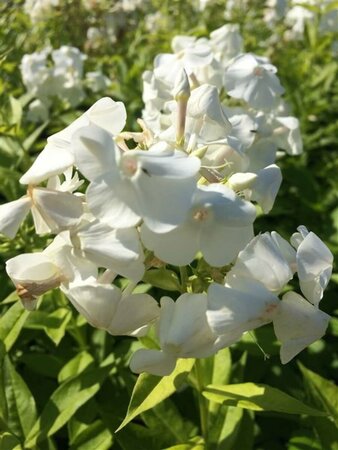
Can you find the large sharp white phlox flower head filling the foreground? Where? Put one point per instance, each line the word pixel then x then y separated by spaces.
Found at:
pixel 185 188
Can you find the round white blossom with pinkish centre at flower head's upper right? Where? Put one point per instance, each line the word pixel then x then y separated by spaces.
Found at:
pixel 252 78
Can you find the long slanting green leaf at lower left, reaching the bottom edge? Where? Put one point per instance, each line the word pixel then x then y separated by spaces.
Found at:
pixel 65 401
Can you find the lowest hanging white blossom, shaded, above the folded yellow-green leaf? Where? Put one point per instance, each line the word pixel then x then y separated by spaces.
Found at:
pixel 183 332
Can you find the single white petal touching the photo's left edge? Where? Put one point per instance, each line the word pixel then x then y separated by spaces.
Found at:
pixel 12 215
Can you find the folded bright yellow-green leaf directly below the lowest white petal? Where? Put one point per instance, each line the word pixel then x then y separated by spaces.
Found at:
pixel 150 390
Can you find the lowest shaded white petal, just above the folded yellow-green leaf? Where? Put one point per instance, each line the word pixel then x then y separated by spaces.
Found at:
pixel 152 361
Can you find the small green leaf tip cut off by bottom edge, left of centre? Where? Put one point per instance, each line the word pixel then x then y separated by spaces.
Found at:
pixel 94 436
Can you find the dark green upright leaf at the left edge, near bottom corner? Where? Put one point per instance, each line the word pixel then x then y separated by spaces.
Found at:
pixel 18 409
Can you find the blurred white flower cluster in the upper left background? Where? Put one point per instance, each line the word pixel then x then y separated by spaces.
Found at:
pixel 57 73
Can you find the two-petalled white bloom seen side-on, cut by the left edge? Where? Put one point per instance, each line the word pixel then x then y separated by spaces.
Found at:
pixel 52 211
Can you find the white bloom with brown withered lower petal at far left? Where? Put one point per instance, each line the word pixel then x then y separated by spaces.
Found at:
pixel 33 274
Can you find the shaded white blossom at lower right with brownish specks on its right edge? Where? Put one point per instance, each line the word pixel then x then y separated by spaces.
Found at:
pixel 246 305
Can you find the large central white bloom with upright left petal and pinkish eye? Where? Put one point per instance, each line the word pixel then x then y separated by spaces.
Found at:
pixel 156 185
